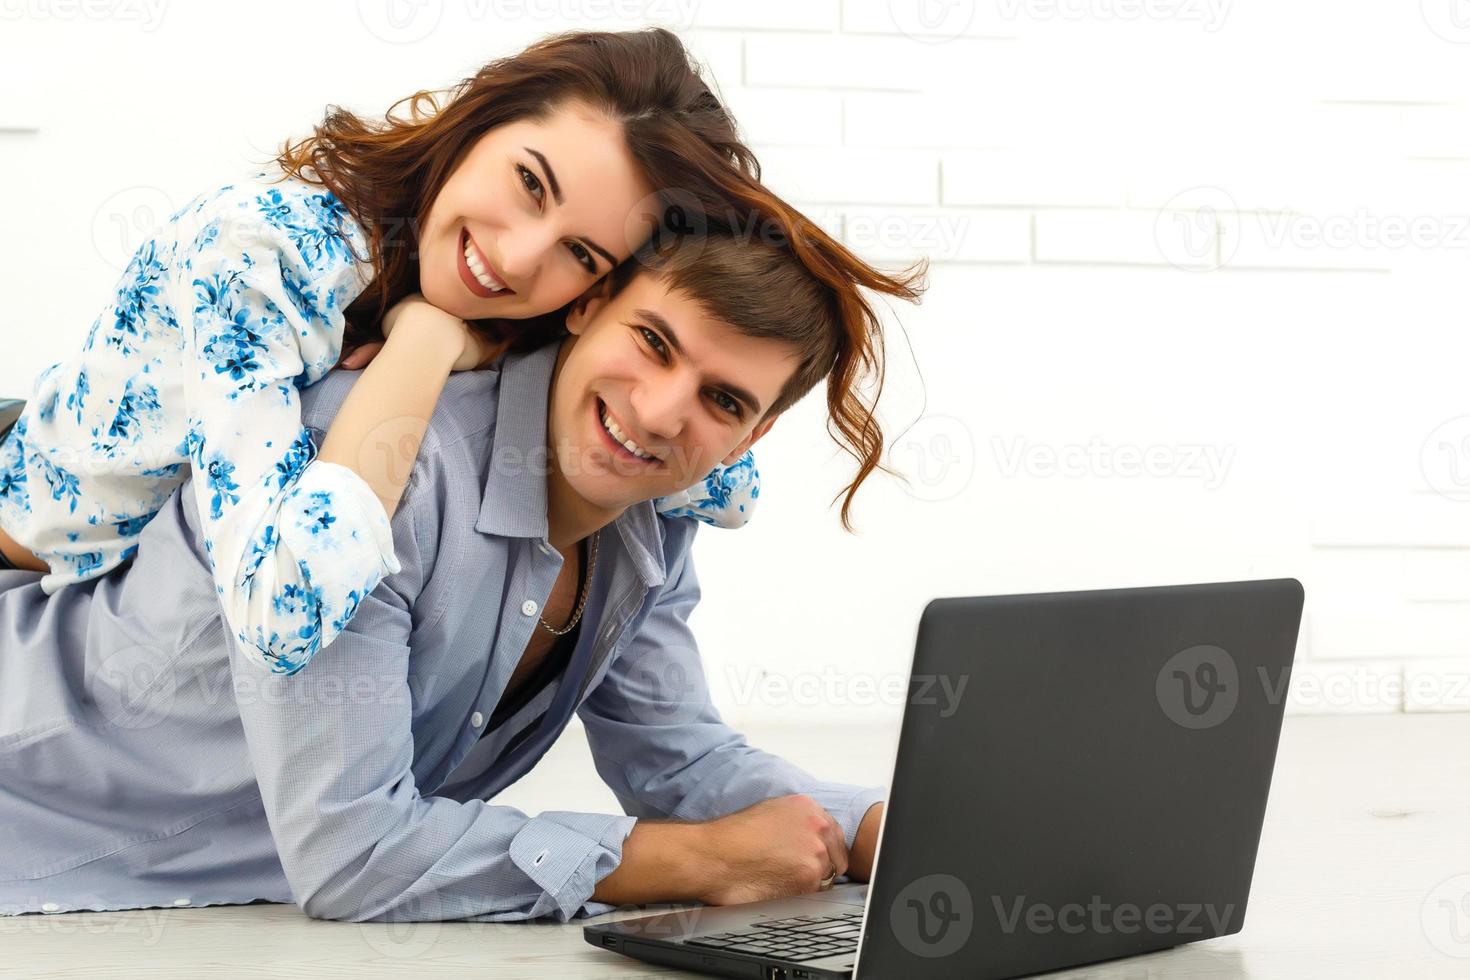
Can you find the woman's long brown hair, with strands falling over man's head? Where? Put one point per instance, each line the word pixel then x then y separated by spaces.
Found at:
pixel 686 142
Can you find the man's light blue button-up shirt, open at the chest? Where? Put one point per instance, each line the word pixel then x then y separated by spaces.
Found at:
pixel 142 765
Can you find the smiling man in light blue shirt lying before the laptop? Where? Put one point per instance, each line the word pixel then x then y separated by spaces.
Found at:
pixel 143 765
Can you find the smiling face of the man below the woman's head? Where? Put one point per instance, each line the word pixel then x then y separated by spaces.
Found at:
pixel 652 368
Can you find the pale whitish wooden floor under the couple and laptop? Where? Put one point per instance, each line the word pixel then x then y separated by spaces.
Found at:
pixel 1365 863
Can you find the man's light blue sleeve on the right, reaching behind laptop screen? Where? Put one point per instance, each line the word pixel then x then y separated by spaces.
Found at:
pixel 661 746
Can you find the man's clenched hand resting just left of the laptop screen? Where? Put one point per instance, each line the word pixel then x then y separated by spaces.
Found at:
pixel 777 849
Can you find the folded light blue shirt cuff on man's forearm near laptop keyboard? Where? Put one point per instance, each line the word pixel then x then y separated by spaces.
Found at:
pixel 567 854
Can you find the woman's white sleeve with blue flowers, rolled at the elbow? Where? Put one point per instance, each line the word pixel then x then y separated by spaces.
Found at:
pixel 295 544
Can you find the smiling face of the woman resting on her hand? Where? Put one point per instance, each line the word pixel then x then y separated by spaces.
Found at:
pixel 533 215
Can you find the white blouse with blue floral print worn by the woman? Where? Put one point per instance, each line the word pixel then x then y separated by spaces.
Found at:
pixel 221 318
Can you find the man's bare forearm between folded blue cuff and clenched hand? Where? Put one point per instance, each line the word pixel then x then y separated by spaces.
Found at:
pixel 662 863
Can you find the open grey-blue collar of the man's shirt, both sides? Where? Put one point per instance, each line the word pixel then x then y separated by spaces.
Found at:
pixel 515 500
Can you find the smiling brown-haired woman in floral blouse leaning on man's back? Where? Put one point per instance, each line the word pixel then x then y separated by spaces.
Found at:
pixel 536 179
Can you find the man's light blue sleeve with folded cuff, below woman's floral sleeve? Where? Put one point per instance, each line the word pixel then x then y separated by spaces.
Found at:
pixel 333 756
